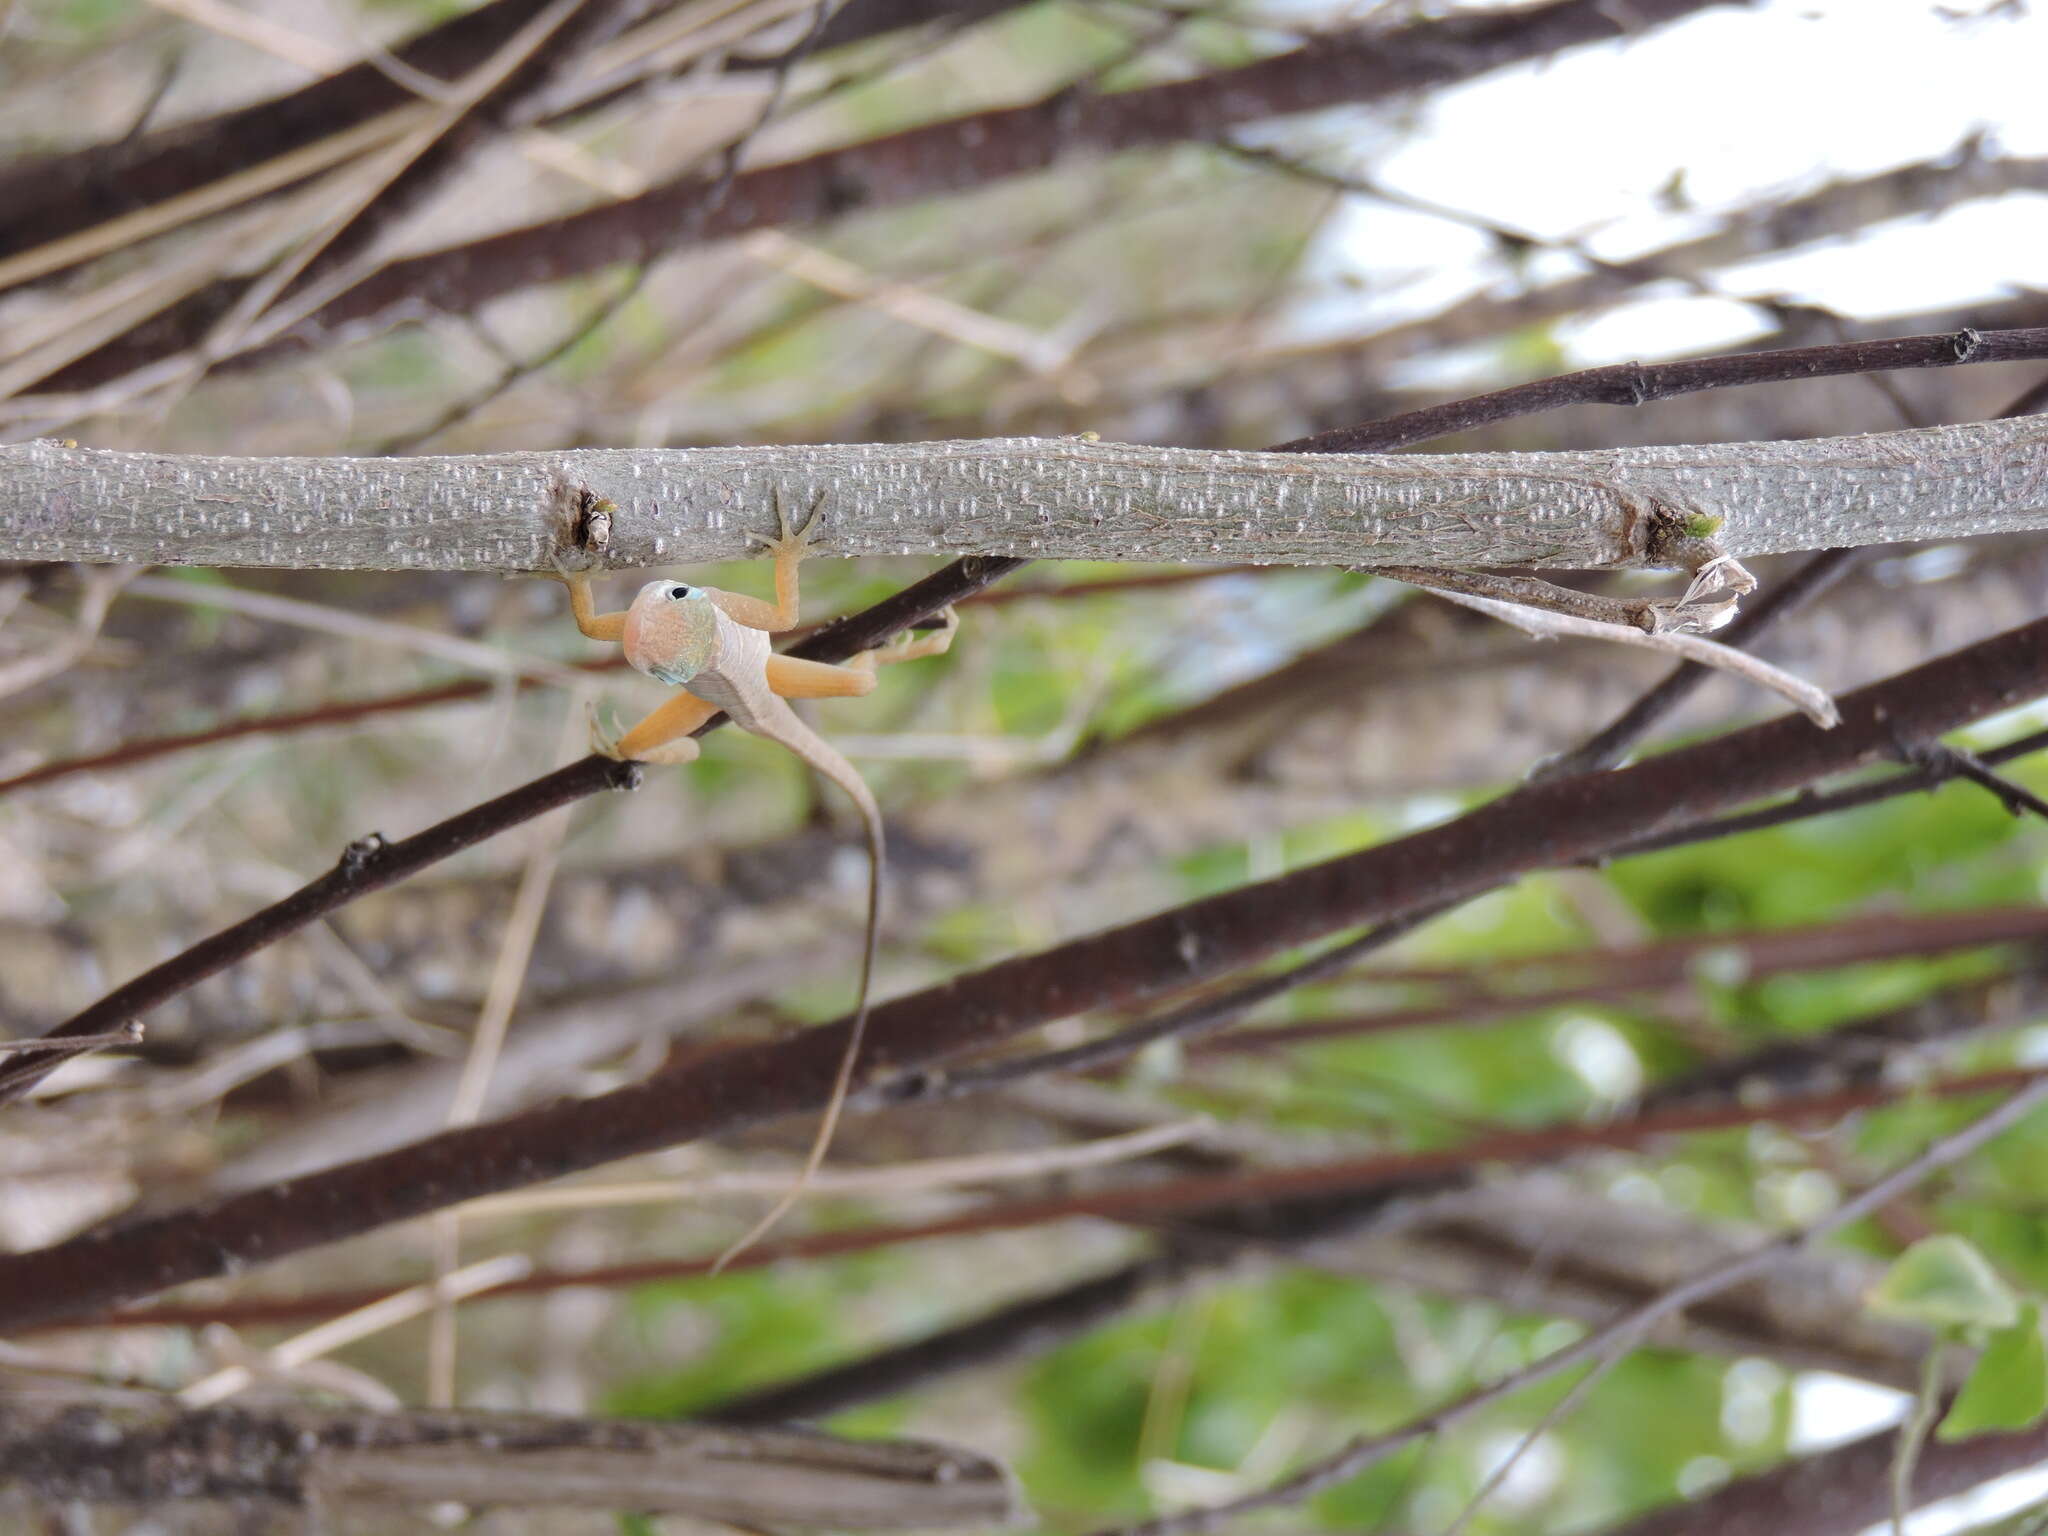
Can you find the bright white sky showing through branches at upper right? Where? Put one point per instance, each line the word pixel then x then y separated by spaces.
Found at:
pixel 1748 105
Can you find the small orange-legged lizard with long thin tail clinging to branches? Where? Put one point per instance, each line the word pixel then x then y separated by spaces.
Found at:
pixel 716 648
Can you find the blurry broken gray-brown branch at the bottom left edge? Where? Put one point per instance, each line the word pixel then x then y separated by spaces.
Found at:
pixel 148 1449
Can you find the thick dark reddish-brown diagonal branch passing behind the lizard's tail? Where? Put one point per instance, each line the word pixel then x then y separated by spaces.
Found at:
pixel 1537 828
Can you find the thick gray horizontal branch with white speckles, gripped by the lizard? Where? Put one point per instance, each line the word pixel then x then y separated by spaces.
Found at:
pixel 1062 499
